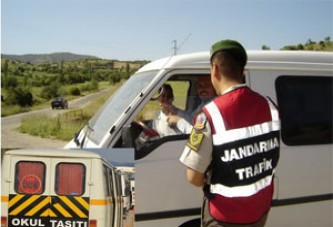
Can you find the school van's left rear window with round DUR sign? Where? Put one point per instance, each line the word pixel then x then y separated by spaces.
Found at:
pixel 30 177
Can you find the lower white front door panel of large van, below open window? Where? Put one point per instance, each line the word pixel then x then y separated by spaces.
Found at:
pixel 174 199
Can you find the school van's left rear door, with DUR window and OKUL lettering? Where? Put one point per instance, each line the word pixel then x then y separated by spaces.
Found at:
pixel 29 189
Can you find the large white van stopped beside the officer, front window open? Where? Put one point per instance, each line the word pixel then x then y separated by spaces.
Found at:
pixel 299 82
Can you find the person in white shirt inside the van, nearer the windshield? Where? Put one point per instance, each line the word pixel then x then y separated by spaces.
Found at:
pixel 160 123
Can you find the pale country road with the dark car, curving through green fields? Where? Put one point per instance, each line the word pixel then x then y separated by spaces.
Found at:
pixel 11 138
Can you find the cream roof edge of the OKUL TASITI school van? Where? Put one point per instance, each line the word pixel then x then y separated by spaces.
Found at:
pixel 49 152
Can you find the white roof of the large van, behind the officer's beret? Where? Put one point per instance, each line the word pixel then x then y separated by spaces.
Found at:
pixel 256 59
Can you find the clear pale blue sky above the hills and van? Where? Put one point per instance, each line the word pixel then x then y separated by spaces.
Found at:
pixel 149 29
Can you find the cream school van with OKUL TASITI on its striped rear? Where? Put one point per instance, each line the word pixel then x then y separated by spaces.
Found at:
pixel 59 188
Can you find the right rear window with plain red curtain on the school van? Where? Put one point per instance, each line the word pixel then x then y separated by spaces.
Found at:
pixel 70 179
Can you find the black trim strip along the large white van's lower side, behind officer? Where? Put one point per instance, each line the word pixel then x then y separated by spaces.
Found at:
pixel 197 211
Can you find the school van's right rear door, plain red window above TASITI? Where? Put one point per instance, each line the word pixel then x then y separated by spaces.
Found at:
pixel 70 192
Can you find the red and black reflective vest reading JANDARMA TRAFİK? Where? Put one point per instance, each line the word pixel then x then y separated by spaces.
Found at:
pixel 246 143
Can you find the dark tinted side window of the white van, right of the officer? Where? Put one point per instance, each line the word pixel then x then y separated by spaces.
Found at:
pixel 305 105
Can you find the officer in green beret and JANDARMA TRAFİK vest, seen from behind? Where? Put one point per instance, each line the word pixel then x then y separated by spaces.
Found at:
pixel 233 149
